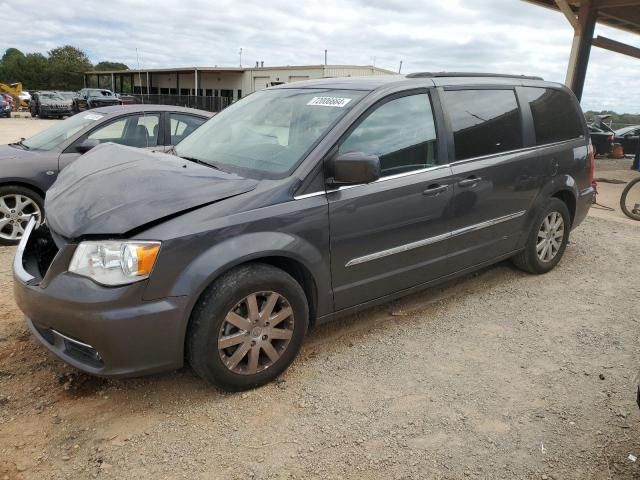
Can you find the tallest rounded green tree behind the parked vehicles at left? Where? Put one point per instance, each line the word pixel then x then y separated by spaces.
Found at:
pixel 67 66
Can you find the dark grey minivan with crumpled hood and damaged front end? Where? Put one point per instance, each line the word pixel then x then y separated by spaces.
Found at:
pixel 296 205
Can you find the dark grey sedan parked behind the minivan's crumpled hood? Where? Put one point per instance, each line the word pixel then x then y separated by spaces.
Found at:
pixel 29 167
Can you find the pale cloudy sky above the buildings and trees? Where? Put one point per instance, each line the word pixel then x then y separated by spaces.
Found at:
pixel 503 36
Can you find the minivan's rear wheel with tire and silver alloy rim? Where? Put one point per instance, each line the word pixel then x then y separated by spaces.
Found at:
pixel 547 239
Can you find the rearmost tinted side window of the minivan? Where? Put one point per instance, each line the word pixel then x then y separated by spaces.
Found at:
pixel 555 116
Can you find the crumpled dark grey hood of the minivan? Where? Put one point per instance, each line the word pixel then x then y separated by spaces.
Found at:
pixel 114 189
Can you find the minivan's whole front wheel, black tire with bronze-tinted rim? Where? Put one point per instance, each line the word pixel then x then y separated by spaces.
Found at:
pixel 247 327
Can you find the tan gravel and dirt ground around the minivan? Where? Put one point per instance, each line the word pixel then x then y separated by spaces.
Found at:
pixel 501 375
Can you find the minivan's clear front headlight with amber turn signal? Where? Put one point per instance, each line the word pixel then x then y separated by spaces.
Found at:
pixel 114 262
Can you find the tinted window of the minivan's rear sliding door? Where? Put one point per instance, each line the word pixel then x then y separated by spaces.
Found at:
pixel 484 122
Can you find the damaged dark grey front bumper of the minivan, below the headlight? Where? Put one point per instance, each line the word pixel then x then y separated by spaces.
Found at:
pixel 105 331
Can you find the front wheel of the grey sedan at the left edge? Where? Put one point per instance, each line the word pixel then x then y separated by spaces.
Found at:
pixel 17 205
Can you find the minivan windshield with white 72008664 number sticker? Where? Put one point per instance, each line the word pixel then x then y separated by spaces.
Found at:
pixel 266 134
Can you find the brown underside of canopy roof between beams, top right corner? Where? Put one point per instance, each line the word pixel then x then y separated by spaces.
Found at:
pixel 622 14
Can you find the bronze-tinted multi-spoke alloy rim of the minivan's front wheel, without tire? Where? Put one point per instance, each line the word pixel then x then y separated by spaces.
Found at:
pixel 255 333
